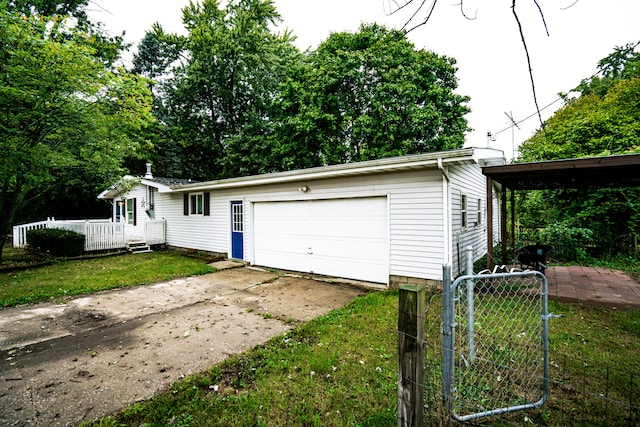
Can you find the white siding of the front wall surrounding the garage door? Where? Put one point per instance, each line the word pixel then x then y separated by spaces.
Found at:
pixel 416 232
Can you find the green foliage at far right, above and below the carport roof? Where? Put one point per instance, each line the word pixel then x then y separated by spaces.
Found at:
pixel 603 120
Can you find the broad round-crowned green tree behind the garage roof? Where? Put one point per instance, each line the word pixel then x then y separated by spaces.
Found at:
pixel 369 95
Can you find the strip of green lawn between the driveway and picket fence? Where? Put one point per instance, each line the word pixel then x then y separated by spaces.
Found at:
pixel 64 279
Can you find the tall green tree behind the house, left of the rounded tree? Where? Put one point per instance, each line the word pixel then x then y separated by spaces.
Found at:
pixel 217 98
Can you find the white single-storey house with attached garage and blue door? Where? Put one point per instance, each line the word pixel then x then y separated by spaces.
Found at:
pixel 389 221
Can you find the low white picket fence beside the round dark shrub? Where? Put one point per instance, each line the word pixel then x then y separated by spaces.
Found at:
pixel 100 234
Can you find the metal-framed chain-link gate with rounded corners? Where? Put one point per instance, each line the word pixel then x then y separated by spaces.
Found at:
pixel 495 344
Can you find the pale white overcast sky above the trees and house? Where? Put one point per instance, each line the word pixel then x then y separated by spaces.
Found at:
pixel 485 41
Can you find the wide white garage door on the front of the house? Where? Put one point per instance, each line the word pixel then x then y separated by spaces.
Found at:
pixel 338 237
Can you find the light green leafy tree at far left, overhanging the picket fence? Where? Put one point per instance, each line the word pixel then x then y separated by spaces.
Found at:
pixel 62 107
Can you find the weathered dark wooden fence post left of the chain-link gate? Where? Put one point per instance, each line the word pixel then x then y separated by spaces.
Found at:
pixel 411 356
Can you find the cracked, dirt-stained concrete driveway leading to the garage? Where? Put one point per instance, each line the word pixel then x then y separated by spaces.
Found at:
pixel 63 364
